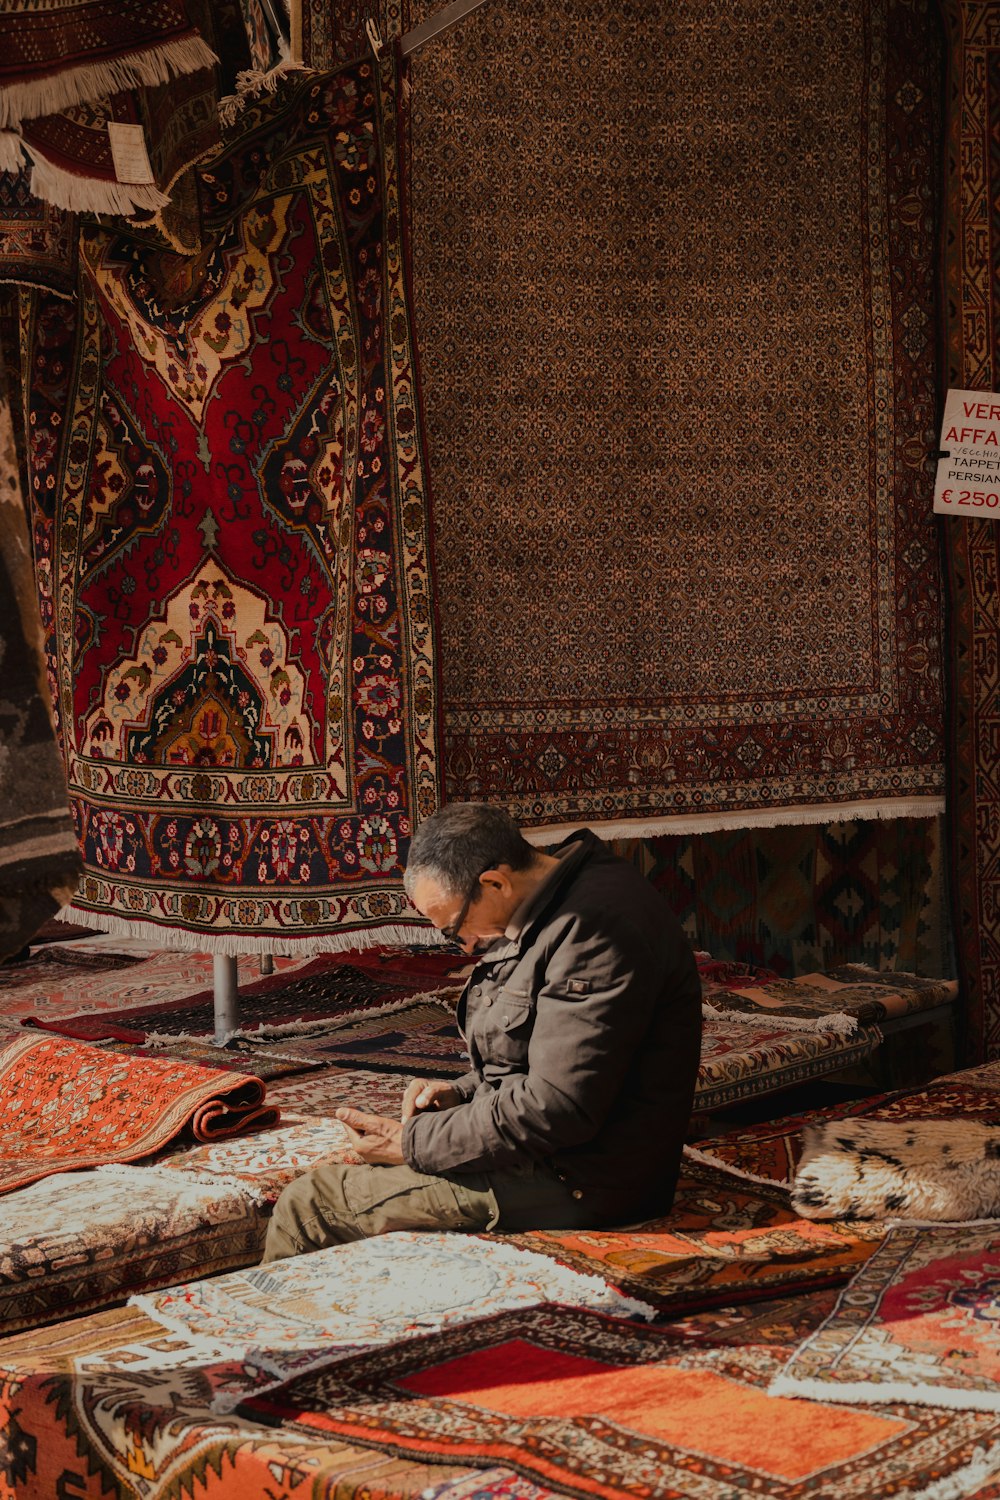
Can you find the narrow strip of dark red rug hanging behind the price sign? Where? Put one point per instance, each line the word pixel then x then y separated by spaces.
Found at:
pixel 972 548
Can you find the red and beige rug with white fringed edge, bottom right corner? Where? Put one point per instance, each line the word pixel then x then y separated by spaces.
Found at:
pixel 918 1324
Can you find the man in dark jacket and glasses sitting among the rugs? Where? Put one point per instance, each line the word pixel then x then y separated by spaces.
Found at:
pixel 584 1025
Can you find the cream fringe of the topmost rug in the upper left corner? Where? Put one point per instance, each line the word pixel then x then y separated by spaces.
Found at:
pixel 95 80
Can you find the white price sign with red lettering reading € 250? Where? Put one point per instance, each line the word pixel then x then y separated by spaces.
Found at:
pixel 969 469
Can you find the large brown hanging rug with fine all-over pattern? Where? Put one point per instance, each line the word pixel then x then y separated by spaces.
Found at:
pixel 680 394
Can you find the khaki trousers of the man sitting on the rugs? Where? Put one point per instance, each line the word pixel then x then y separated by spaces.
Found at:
pixel 338 1204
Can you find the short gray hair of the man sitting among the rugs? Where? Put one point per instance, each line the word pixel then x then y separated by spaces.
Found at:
pixel 463 841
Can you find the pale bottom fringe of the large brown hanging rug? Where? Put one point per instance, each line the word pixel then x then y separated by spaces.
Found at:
pixel 744 818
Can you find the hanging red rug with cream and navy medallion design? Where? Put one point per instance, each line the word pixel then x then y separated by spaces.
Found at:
pixel 236 580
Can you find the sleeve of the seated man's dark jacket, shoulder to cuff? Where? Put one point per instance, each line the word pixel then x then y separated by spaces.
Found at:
pixel 585 1025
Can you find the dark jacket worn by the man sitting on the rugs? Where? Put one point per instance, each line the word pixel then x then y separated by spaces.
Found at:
pixel 584 1034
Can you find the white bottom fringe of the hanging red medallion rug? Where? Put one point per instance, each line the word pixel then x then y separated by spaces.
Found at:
pixel 233 946
